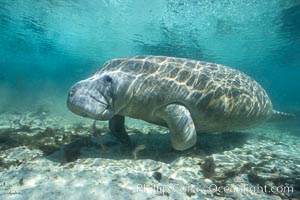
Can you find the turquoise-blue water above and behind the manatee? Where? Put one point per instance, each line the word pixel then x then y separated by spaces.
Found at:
pixel 46 46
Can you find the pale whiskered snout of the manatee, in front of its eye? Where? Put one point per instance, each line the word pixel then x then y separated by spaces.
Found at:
pixel 87 100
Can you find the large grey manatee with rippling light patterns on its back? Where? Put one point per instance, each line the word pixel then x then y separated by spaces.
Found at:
pixel 187 96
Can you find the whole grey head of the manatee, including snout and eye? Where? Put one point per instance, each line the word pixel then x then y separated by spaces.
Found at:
pixel 92 97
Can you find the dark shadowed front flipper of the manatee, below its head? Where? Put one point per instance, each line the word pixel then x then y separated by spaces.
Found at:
pixel 117 128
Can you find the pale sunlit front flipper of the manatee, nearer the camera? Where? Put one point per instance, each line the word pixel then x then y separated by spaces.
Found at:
pixel 181 125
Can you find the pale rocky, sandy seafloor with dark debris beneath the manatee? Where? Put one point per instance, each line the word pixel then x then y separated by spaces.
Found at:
pixel 44 156
